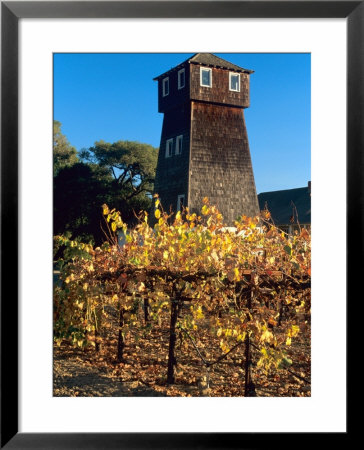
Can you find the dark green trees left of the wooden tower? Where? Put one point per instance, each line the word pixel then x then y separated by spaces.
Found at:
pixel 119 174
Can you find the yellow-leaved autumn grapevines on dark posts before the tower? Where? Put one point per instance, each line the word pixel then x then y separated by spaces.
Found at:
pixel 203 284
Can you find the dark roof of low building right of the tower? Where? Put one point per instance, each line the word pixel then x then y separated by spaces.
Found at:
pixel 283 205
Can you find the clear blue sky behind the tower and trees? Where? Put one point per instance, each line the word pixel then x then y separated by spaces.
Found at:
pixel 113 97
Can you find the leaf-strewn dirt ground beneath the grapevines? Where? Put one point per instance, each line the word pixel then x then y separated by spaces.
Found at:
pixel 83 372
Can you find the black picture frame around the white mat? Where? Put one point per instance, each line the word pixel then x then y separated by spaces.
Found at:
pixel 11 12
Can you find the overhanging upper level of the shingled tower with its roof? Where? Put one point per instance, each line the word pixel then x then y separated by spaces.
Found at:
pixel 204 77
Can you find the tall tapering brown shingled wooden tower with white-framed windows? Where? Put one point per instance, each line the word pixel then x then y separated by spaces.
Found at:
pixel 204 149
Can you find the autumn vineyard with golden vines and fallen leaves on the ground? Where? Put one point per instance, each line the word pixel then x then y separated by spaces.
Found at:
pixel 188 307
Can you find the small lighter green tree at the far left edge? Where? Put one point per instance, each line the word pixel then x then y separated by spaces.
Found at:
pixel 64 155
